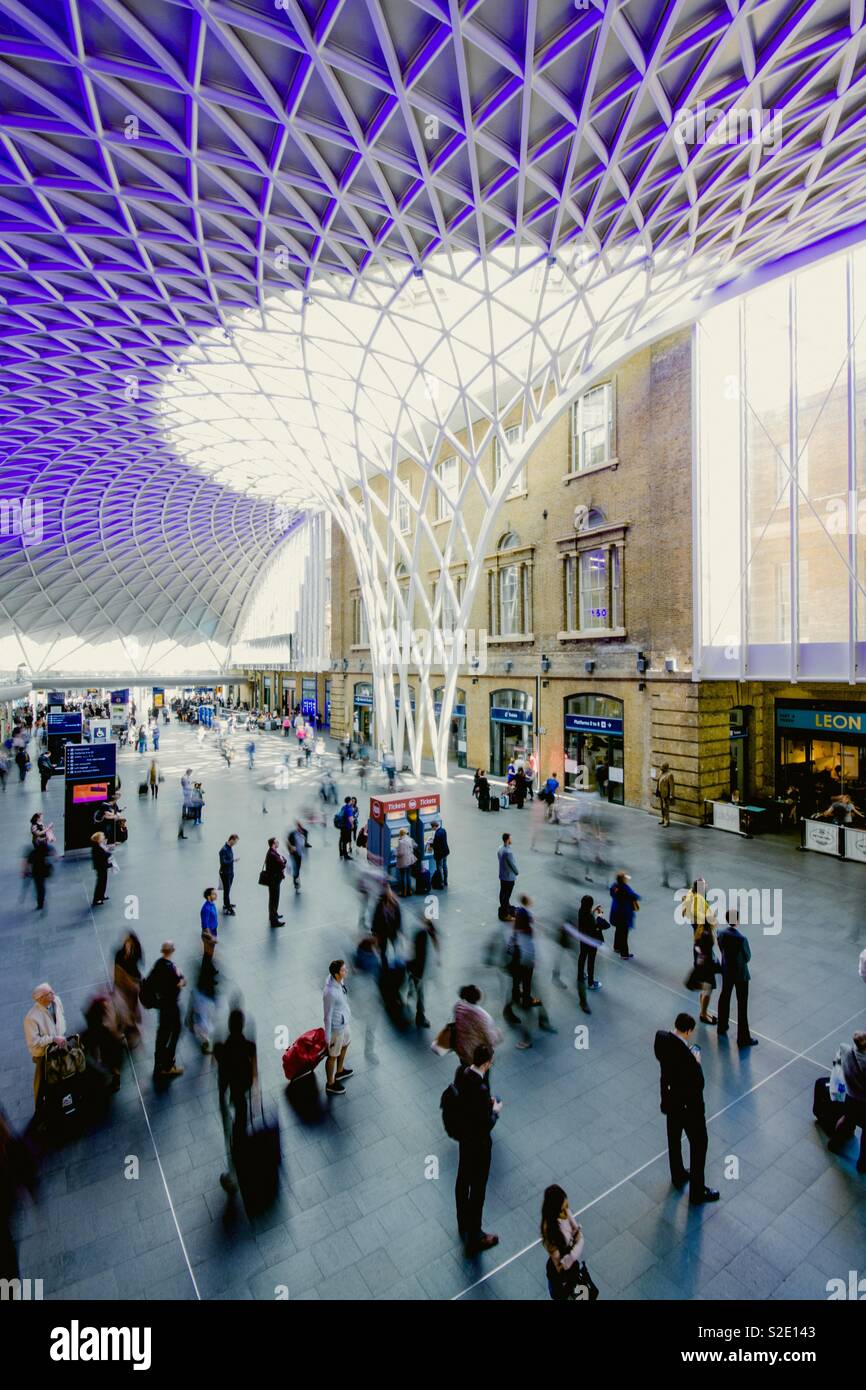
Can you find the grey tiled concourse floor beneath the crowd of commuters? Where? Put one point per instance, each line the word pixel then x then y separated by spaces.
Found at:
pixel 362 1214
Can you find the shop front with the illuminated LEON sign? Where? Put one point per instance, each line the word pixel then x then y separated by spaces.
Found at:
pixel 821 754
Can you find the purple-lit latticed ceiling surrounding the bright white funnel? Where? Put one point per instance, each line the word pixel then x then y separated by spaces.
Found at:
pixel 166 163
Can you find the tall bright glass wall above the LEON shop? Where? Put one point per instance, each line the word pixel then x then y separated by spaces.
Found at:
pixel 782 479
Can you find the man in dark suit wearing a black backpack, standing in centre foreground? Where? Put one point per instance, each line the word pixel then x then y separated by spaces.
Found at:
pixel 477 1111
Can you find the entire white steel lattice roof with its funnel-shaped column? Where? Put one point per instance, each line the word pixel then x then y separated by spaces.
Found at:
pixel 283 247
